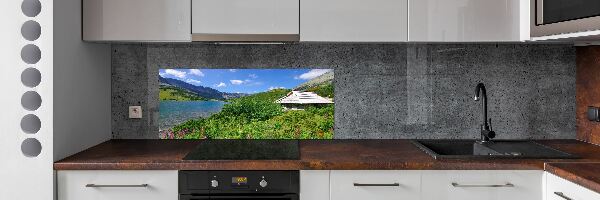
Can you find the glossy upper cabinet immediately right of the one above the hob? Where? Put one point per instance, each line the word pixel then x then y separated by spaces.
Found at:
pixel 353 20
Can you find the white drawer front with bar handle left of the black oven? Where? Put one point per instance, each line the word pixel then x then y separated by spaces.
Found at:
pixel 117 185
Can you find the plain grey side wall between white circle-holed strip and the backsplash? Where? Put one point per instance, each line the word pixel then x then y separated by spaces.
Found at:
pixel 82 107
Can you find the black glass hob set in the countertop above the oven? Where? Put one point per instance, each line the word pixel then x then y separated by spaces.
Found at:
pixel 245 150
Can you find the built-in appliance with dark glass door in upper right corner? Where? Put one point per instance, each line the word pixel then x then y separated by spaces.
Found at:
pixel 553 17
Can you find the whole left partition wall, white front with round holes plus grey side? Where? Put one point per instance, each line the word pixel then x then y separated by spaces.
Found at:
pixel 74 75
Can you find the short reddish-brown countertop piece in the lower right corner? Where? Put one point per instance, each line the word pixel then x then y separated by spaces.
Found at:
pixel 584 174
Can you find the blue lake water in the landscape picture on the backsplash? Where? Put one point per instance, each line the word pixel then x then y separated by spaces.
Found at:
pixel 177 112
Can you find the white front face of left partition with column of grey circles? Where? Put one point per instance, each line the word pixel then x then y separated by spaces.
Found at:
pixel 21 177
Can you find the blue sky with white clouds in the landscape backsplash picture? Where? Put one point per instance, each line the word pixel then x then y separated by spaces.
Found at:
pixel 244 80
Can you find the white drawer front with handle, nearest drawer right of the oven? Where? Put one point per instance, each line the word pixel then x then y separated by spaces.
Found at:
pixel 375 185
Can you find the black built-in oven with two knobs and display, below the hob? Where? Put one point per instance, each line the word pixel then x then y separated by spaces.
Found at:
pixel 238 185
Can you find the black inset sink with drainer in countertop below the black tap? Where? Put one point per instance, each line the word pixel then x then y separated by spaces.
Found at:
pixel 469 149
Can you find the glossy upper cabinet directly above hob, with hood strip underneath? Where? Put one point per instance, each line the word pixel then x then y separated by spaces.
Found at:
pixel 245 20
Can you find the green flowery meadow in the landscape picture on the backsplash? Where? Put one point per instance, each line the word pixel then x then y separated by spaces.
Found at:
pixel 258 117
